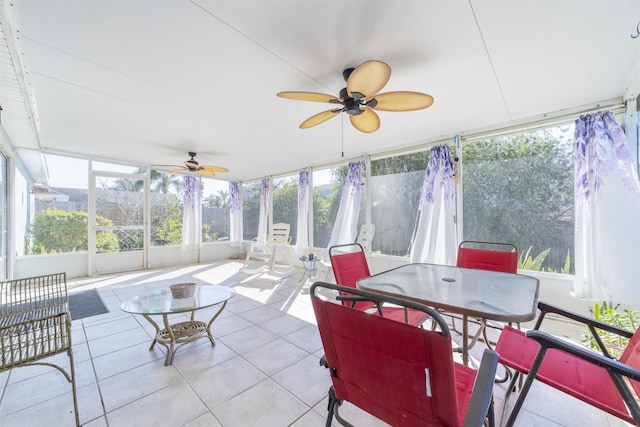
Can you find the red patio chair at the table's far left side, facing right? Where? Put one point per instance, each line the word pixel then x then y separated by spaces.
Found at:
pixel 348 267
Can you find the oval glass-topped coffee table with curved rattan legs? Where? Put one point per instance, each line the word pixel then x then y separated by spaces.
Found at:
pixel 162 303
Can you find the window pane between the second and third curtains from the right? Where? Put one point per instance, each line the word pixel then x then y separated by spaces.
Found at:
pixel 395 193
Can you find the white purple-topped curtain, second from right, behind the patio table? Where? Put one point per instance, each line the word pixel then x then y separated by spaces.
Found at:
pixel 434 240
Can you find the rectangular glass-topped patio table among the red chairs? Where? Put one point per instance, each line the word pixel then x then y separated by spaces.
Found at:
pixel 488 295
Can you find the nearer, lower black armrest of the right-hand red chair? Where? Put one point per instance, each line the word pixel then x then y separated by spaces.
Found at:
pixel 547 340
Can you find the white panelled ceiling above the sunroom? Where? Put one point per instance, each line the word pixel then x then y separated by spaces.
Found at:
pixel 144 82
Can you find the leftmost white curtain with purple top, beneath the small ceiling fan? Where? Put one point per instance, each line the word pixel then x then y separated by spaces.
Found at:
pixel 191 213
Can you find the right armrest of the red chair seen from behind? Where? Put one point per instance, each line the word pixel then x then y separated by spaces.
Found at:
pixel 482 394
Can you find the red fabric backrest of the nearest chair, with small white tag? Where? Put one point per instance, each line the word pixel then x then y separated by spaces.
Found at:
pixel 402 374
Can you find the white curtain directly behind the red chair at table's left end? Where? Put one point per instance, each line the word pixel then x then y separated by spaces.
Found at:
pixel 345 227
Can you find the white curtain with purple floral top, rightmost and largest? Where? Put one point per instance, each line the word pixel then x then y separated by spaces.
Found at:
pixel 607 203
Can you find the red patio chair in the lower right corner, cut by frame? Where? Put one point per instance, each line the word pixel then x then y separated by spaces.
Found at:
pixel 595 378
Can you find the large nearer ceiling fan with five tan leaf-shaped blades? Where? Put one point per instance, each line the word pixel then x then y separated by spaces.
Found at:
pixel 359 98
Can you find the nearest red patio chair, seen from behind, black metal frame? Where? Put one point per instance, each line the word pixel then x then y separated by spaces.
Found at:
pixel 402 374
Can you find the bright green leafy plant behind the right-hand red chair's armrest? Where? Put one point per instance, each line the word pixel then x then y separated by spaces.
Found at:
pixel 609 313
